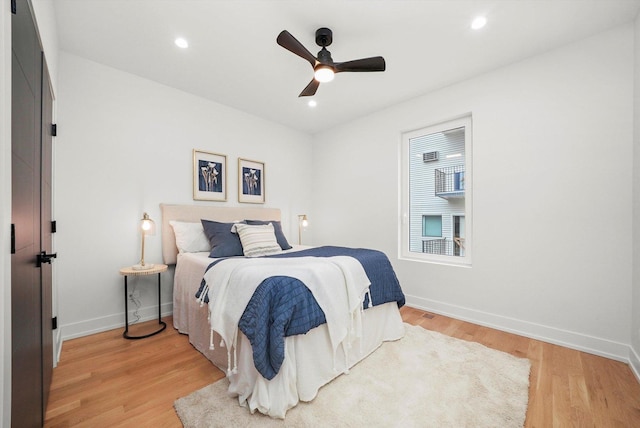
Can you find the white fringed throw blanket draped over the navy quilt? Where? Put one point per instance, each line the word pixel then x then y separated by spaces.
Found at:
pixel 338 284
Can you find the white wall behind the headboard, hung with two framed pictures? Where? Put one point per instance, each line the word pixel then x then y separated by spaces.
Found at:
pixel 124 146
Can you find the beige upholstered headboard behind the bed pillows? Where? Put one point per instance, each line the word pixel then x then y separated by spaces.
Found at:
pixel 195 213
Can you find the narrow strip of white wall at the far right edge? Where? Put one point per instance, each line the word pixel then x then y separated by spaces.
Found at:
pixel 635 326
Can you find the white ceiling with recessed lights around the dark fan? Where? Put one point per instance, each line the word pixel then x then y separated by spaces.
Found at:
pixel 234 60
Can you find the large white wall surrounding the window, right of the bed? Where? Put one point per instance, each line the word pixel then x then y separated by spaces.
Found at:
pixel 552 162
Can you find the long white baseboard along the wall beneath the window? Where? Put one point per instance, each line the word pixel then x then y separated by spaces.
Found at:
pixel 581 342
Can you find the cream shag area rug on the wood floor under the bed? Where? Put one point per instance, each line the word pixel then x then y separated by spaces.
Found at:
pixel 425 379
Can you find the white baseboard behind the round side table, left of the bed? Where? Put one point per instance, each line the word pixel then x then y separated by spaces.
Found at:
pixel 110 322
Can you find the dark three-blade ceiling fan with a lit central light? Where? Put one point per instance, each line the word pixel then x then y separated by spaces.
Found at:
pixel 323 66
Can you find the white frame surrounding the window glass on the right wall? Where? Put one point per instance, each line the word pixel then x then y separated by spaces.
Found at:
pixel 403 241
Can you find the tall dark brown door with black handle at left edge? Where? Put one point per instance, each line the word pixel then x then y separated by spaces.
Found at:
pixel 30 302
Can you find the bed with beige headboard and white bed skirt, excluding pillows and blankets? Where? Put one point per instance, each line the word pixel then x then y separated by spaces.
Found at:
pixel 310 360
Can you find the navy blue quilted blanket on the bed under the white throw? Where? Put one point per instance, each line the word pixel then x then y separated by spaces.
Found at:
pixel 282 306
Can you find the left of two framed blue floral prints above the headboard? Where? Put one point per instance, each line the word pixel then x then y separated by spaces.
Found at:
pixel 209 176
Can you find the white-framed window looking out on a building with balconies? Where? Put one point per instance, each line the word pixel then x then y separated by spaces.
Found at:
pixel 436 193
